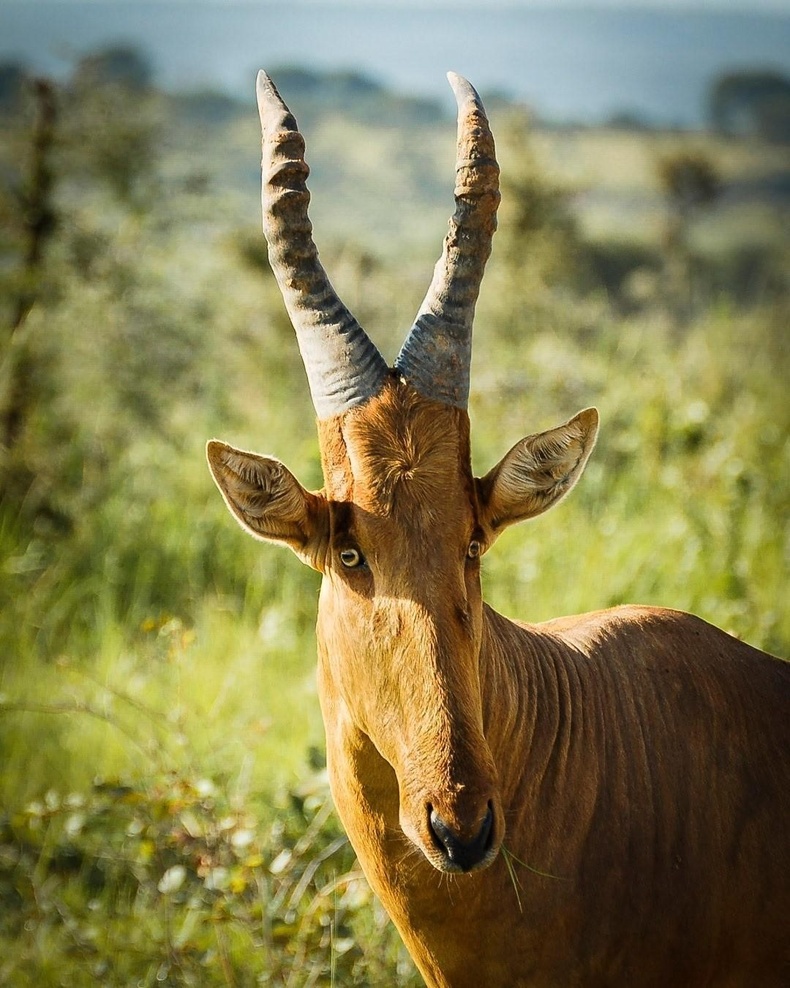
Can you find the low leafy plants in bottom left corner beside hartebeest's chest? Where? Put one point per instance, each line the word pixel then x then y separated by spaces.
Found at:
pixel 173 884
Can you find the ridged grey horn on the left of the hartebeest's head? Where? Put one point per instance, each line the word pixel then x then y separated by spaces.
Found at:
pixel 343 366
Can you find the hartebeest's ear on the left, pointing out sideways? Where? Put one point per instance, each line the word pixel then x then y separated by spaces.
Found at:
pixel 268 501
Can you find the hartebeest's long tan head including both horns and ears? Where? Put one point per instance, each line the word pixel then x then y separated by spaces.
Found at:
pixel 400 525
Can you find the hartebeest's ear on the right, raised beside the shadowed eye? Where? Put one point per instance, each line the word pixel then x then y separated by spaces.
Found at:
pixel 537 472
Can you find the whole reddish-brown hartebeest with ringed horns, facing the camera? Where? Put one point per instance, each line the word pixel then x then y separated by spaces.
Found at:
pixel 600 800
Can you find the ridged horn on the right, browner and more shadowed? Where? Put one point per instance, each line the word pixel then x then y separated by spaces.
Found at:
pixel 437 353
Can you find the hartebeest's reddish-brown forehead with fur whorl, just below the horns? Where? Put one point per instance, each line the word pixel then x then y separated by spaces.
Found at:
pixel 399 451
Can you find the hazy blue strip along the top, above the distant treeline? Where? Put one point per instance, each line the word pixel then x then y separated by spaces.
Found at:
pixel 570 63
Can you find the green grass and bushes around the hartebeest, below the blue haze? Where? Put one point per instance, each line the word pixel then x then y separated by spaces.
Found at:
pixel 145 642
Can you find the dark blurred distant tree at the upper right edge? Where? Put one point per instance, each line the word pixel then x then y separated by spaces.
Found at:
pixel 751 103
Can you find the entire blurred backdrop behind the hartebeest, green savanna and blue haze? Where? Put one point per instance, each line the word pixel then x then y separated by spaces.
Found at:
pixel 164 817
